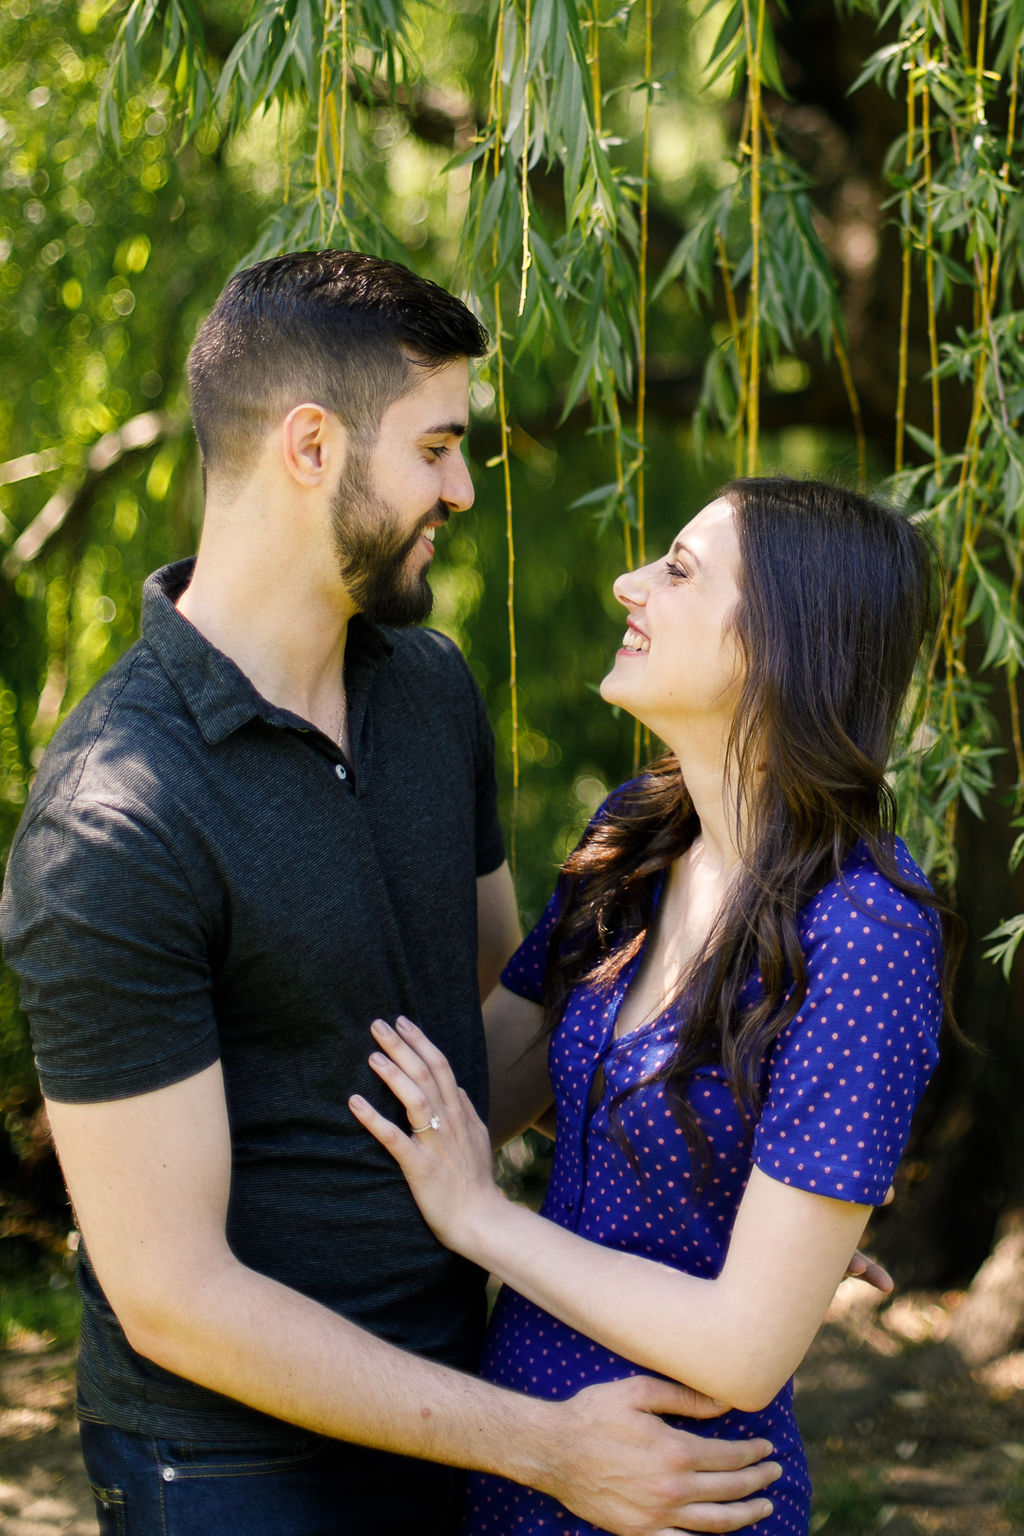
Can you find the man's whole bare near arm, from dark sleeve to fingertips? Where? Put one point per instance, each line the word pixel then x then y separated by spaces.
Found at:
pixel 150 1180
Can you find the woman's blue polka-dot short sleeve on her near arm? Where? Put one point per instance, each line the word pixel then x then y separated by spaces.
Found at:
pixel 848 1073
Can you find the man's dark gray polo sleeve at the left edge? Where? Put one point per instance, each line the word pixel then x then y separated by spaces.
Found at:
pixel 102 927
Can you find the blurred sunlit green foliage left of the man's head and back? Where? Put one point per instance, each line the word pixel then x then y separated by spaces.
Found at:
pixel 108 263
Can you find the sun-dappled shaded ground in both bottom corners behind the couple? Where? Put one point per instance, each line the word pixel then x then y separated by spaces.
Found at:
pixel 900 1443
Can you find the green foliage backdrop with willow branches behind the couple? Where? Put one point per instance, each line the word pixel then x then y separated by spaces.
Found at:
pixel 147 151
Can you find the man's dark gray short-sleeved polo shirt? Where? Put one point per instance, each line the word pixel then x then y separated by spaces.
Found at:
pixel 202 876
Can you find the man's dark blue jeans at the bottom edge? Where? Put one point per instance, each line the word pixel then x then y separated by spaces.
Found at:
pixel 302 1488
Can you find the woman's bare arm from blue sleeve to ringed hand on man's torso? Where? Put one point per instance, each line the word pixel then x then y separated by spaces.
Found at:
pixel 736 1339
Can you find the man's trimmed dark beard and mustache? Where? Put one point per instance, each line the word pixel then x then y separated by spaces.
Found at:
pixel 372 551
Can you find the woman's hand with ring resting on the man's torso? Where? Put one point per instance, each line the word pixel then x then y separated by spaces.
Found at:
pixel 448 1154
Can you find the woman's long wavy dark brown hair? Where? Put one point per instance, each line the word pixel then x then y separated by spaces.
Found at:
pixel 836 598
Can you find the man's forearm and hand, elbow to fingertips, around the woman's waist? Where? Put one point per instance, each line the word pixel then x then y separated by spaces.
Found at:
pixel 604 1454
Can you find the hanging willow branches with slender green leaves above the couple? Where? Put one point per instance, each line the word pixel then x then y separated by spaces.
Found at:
pixel 558 230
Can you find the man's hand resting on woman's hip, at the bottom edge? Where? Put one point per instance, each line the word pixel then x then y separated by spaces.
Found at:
pixel 627 1472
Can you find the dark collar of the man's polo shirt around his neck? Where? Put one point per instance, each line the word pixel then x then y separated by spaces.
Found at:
pixel 214 689
